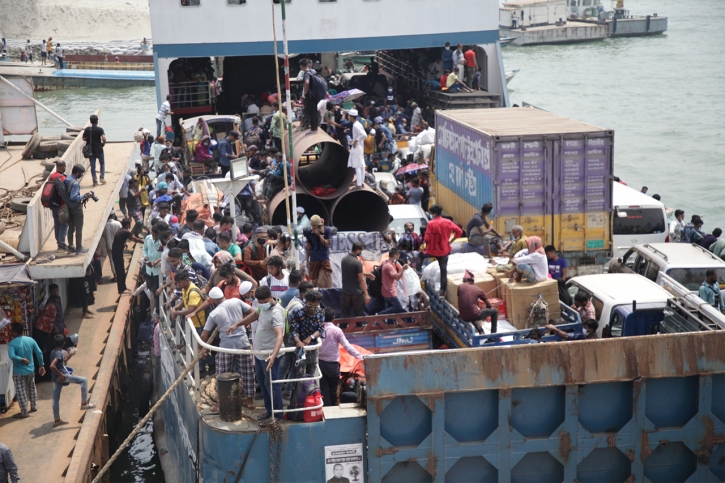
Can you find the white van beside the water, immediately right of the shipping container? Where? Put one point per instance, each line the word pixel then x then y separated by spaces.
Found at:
pixel 637 219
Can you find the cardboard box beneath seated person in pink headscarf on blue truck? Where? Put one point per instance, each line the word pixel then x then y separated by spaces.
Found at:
pixel 519 295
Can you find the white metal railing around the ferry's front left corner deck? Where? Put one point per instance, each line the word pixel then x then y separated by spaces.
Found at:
pixel 184 334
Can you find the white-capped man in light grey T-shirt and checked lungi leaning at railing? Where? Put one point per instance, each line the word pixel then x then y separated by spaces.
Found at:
pixel 225 314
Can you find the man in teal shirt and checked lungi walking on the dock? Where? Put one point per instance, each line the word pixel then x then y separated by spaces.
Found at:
pixel 21 350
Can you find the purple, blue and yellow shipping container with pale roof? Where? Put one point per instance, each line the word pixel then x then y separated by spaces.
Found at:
pixel 548 173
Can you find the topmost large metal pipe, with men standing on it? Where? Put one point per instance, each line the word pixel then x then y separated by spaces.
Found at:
pixel 330 167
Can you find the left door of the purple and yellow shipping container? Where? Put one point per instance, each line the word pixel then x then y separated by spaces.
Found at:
pixel 524 186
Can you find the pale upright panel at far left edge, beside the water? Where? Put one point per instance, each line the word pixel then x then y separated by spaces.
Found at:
pixel 17 113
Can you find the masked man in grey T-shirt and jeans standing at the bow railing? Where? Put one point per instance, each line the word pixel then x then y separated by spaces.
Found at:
pixel 268 338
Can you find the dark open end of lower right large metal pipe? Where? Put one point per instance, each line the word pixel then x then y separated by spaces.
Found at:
pixel 360 210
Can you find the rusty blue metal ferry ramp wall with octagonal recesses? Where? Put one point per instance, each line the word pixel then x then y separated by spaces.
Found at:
pixel 525 414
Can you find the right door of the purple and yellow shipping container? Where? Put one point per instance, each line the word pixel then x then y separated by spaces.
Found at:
pixel 582 194
